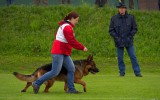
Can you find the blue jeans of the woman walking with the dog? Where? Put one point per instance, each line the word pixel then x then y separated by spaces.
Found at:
pixel 58 61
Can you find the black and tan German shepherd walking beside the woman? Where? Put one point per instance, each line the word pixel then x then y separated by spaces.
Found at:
pixel 82 68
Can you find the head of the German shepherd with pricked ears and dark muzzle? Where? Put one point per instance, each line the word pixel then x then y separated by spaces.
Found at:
pixel 90 65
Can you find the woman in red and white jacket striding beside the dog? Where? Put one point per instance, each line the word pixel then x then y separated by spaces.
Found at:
pixel 61 51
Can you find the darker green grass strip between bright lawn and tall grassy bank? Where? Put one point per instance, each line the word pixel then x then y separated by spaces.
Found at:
pixel 107 65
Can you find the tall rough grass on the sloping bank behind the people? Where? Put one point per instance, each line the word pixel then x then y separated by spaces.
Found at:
pixel 29 30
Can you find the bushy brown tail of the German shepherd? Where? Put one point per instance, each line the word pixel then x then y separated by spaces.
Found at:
pixel 28 78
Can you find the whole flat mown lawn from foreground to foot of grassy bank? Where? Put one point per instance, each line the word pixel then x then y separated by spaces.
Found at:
pixel 106 85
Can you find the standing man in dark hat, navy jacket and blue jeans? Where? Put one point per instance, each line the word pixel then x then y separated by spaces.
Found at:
pixel 123 28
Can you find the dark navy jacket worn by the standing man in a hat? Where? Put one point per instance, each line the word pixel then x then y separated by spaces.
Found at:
pixel 122 29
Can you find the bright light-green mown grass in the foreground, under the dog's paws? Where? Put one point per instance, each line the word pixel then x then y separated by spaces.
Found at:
pixel 99 87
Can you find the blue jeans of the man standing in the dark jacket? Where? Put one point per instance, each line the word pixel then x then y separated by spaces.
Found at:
pixel 131 53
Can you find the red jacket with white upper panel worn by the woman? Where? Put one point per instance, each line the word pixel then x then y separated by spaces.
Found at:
pixel 64 44
